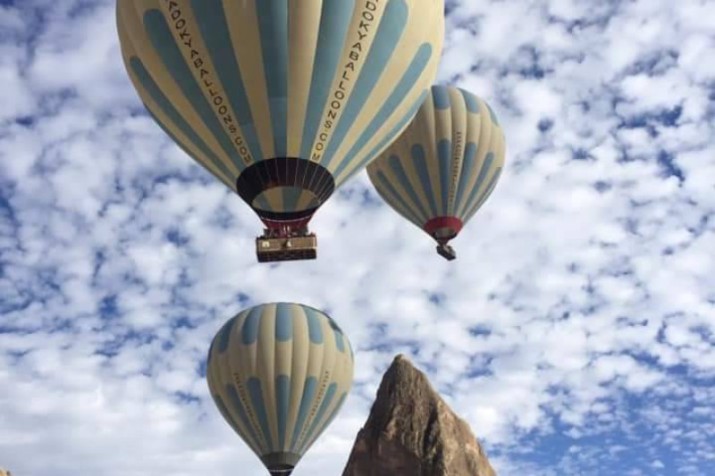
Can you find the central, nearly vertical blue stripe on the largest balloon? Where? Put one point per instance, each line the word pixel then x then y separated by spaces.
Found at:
pixel 273 27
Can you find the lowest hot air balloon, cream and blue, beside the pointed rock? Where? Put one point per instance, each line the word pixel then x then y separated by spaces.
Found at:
pixel 279 374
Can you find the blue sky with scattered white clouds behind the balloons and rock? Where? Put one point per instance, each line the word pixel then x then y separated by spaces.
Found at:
pixel 575 332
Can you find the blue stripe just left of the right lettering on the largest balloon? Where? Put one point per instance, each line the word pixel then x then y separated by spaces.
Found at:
pixel 334 23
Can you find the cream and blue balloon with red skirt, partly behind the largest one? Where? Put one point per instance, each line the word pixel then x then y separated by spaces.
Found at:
pixel 444 166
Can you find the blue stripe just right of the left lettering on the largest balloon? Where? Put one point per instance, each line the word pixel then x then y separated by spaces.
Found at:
pixel 211 19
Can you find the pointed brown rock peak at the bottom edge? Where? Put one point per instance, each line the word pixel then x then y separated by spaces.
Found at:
pixel 412 432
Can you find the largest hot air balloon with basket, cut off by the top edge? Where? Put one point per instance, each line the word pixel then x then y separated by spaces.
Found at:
pixel 282 100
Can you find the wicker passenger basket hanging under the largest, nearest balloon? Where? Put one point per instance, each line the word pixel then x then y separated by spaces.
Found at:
pixel 286 246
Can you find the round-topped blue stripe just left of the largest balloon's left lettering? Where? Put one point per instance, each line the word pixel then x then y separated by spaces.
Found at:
pixel 160 35
